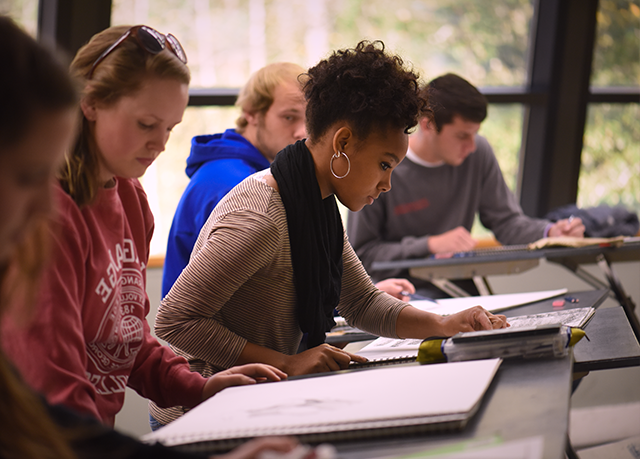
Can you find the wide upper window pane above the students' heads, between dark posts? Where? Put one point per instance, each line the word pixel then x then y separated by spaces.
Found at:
pixel 486 42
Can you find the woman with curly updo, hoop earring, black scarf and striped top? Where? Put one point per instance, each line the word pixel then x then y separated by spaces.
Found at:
pixel 273 261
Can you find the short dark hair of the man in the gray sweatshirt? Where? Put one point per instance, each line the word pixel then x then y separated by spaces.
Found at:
pixel 450 95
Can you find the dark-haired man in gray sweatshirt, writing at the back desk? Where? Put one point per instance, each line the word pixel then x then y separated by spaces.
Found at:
pixel 450 173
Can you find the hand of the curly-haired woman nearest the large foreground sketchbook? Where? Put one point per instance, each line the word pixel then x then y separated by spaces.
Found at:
pixel 320 359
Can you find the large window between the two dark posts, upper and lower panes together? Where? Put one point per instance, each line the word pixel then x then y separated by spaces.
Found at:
pixel 485 42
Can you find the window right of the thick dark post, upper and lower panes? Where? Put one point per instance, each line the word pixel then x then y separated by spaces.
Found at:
pixel 610 165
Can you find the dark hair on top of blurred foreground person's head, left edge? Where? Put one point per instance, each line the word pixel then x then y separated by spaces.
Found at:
pixel 31 81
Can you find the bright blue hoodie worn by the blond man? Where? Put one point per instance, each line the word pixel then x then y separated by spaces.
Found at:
pixel 216 164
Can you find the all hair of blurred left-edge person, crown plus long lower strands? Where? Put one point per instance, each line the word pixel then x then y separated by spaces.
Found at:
pixel 31 82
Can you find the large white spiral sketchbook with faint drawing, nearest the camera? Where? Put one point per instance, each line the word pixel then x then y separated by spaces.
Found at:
pixel 352 405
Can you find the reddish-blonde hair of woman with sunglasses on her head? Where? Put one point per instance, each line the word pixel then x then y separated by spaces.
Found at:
pixel 120 74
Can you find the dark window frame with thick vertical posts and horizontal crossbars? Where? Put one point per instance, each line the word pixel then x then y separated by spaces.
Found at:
pixel 555 96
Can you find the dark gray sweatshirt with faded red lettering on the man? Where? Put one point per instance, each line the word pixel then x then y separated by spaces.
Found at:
pixel 427 201
